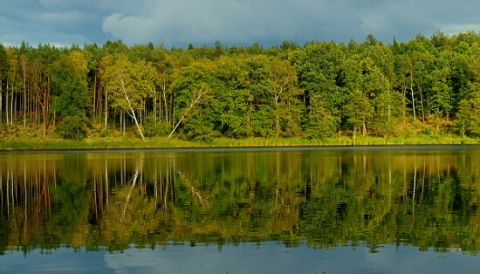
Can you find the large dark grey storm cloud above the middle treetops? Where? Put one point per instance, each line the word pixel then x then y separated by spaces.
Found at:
pixel 234 22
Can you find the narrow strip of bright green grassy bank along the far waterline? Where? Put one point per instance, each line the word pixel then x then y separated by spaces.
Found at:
pixel 39 143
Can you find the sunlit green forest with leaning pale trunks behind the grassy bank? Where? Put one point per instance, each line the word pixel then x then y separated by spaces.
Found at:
pixel 427 85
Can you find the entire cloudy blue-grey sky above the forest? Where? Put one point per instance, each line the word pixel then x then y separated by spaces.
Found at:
pixel 232 22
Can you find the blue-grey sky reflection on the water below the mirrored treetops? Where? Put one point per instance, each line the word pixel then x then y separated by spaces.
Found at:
pixel 245 258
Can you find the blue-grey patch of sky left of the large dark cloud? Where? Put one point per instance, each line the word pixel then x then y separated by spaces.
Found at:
pixel 50 21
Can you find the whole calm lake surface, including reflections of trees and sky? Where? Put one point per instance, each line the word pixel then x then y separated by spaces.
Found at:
pixel 406 209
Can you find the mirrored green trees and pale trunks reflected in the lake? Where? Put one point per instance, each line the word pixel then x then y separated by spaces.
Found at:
pixel 425 197
